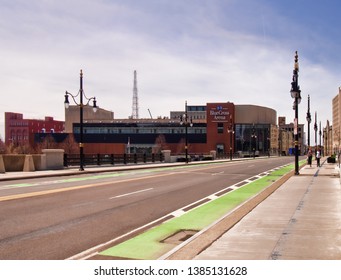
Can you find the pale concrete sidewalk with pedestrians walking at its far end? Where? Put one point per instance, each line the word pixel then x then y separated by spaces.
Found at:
pixel 301 220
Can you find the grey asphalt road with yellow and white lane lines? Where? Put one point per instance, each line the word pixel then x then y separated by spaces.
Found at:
pixel 56 218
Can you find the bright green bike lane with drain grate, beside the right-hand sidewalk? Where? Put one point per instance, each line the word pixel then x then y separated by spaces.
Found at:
pixel 152 244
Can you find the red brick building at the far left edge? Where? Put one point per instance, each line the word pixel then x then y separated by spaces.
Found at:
pixel 20 131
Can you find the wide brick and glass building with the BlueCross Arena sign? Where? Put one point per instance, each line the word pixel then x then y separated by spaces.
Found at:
pixel 222 127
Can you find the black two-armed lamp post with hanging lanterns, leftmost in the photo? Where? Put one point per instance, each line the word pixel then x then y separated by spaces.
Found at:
pixel 81 105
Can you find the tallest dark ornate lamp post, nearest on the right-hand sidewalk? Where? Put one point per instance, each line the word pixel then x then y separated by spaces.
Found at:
pixel 296 95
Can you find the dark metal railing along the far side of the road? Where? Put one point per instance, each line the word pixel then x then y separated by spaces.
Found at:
pixel 111 159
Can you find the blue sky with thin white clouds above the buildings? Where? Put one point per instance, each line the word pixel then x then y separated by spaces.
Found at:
pixel 239 51
